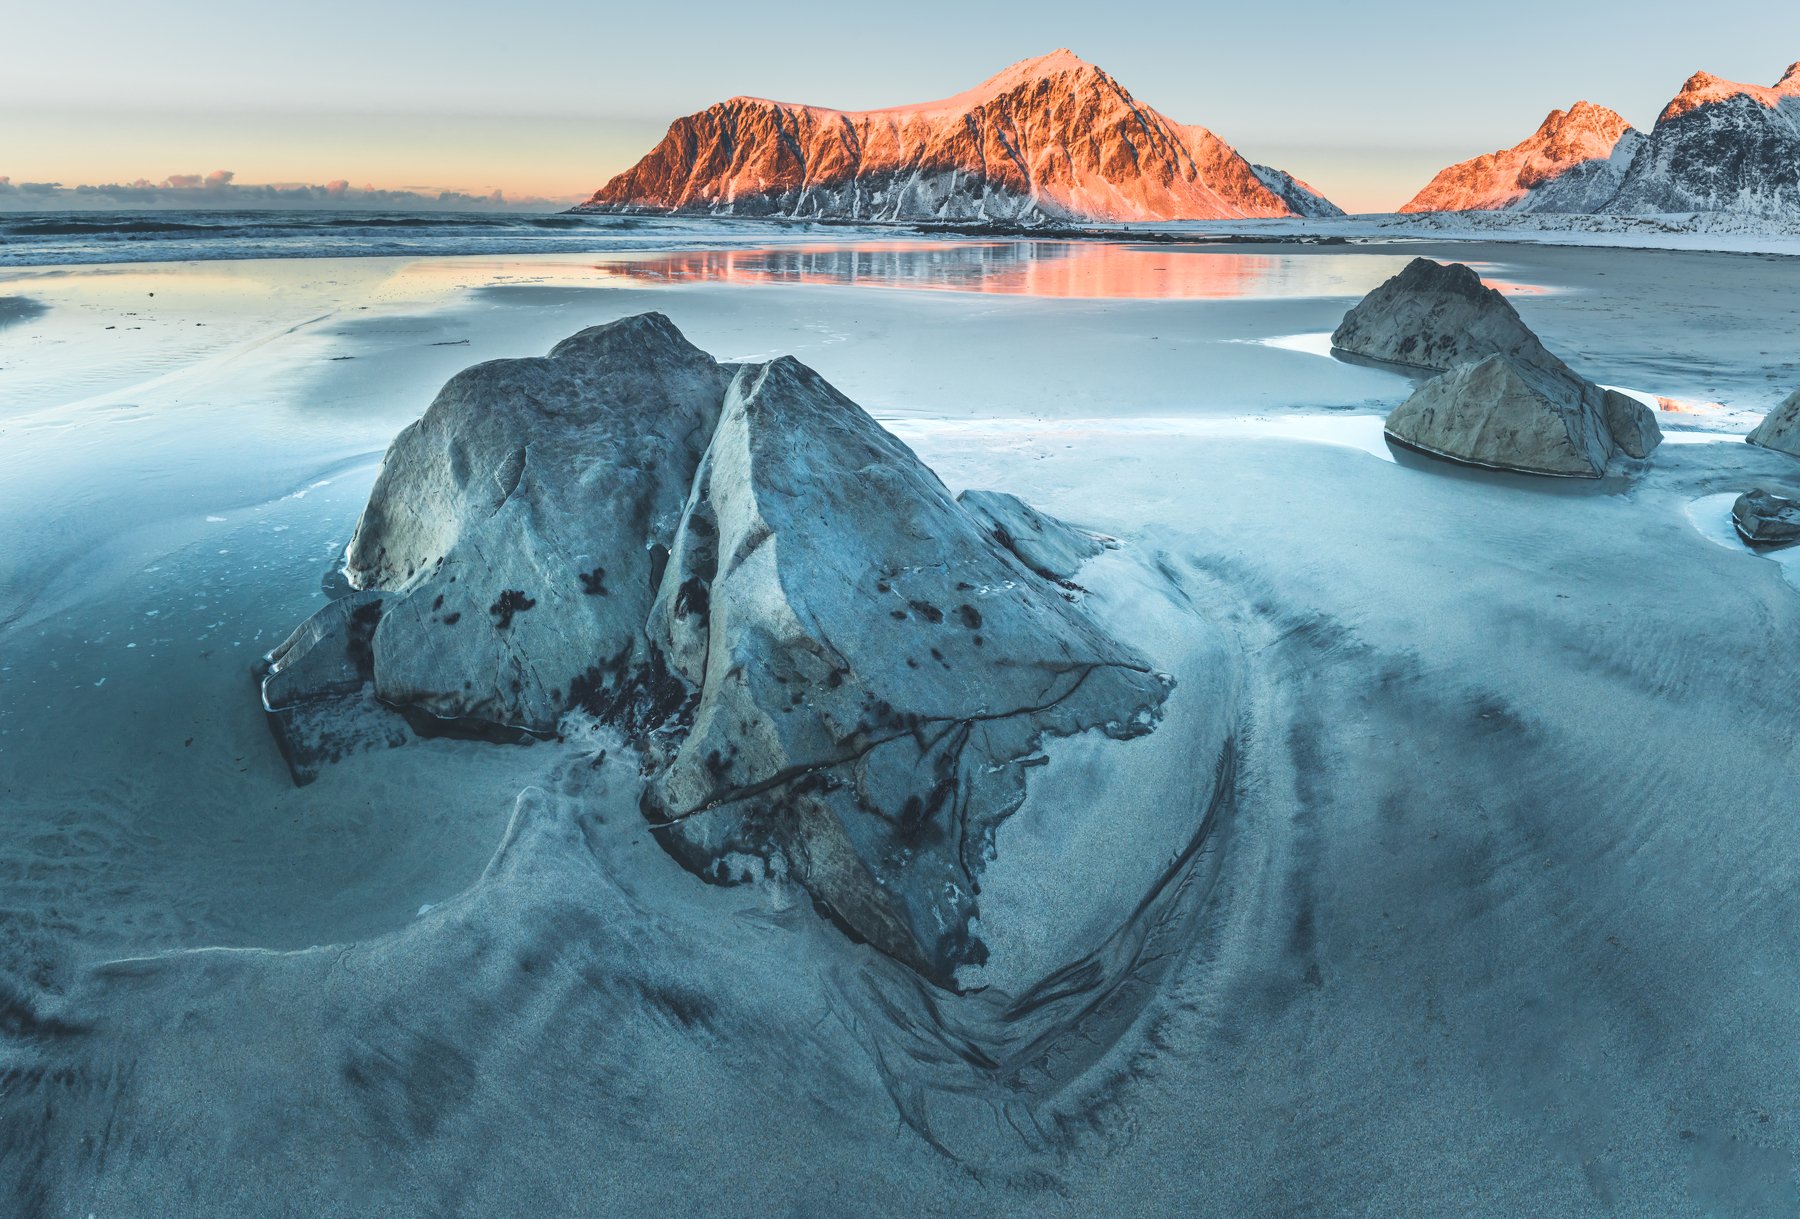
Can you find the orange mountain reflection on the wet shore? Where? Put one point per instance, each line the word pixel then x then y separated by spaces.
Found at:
pixel 1039 269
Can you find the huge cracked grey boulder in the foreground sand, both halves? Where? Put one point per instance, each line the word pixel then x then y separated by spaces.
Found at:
pixel 834 671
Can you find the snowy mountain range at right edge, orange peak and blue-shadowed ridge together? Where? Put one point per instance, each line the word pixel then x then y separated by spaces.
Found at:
pixel 1720 147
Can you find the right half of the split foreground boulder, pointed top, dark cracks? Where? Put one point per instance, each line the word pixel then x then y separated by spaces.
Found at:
pixel 872 667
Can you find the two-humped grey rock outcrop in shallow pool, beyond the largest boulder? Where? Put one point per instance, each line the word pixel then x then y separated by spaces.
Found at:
pixel 1504 399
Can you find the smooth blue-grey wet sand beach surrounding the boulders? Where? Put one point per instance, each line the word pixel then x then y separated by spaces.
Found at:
pixel 1500 916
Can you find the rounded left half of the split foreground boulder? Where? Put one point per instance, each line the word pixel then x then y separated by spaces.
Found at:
pixel 501 518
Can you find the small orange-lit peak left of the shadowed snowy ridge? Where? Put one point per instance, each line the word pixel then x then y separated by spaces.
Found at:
pixel 1567 140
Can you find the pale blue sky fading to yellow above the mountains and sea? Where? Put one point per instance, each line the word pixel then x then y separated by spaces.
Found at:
pixel 541 98
